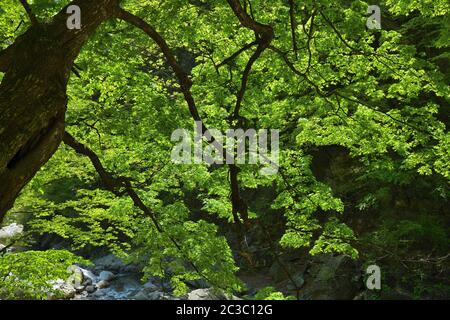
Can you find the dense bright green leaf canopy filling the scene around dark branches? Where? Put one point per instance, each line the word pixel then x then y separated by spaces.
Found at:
pixel 364 165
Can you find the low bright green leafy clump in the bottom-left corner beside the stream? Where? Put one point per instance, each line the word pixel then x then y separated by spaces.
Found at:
pixel 28 275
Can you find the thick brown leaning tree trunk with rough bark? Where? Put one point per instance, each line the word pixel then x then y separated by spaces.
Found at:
pixel 33 94
